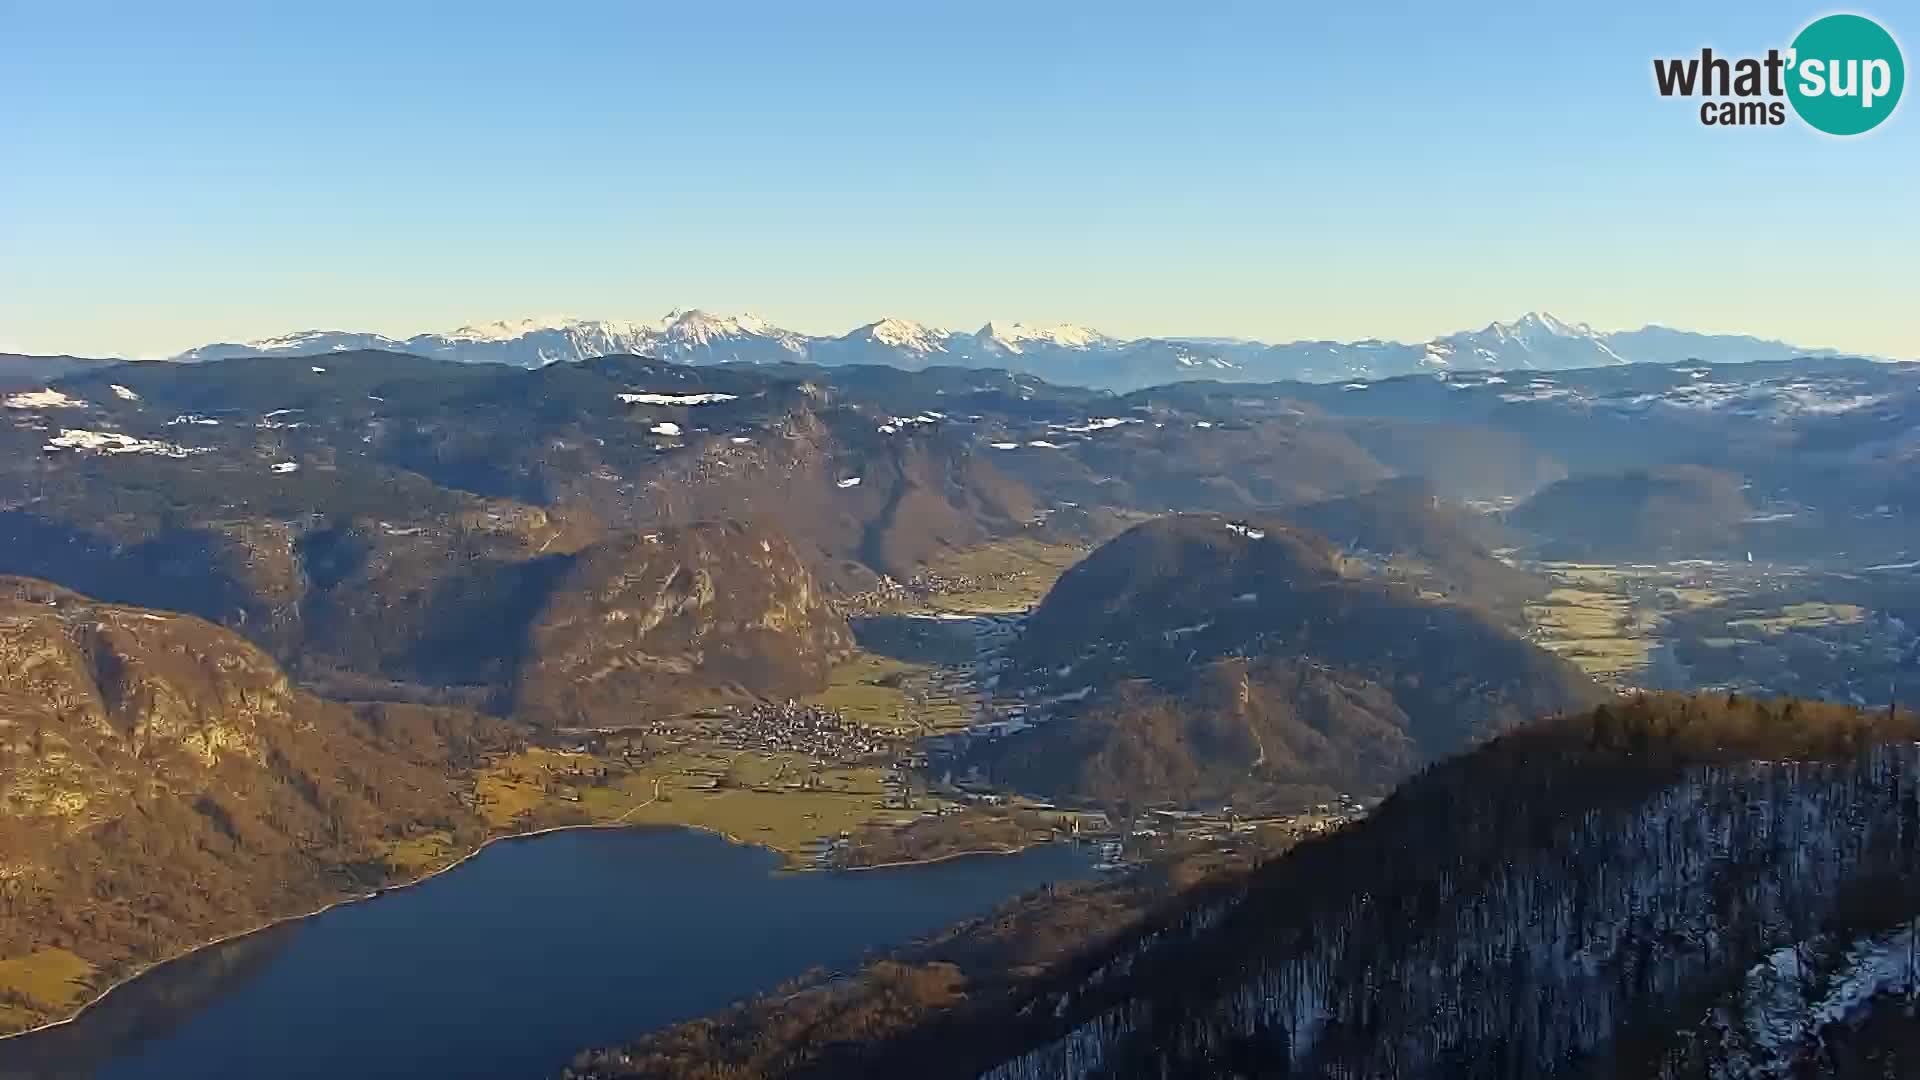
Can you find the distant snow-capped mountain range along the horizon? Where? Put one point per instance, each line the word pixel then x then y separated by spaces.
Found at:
pixel 1063 355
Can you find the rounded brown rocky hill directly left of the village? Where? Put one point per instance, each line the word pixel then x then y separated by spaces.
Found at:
pixel 671 620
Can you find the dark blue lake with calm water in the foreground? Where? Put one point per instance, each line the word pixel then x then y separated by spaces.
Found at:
pixel 514 962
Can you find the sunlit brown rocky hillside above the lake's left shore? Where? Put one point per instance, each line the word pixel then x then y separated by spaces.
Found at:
pixel 160 783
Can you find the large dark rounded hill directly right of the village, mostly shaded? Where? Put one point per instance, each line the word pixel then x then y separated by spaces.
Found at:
pixel 1207 660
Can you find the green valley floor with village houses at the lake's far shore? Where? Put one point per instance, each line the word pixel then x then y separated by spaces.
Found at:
pixel 880 770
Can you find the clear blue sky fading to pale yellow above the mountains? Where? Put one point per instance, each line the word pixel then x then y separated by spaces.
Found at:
pixel 178 174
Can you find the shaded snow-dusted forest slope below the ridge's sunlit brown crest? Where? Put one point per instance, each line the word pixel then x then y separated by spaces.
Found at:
pixel 1554 931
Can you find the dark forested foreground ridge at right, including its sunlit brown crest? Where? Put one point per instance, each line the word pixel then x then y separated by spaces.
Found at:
pixel 1566 900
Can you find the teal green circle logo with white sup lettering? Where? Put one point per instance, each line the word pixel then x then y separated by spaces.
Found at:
pixel 1846 74
